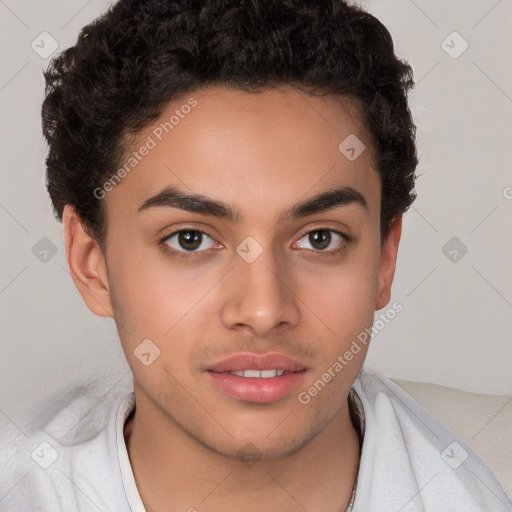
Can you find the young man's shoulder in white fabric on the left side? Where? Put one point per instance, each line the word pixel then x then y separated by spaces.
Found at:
pixel 65 457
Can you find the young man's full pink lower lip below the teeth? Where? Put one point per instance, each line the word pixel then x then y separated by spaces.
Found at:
pixel 253 389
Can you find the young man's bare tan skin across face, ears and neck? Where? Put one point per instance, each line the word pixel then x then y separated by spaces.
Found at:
pixel 189 444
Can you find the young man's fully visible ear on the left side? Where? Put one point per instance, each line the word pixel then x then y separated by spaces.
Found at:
pixel 86 264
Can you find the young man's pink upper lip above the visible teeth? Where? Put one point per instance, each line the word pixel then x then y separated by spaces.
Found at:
pixel 249 361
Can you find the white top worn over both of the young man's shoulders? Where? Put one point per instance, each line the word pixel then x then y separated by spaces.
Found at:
pixel 409 462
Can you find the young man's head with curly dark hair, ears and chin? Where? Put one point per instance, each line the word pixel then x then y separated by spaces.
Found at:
pixel 277 137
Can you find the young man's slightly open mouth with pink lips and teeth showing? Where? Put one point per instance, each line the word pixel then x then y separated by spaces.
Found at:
pixel 260 378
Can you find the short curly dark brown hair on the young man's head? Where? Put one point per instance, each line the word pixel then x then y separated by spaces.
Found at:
pixel 137 56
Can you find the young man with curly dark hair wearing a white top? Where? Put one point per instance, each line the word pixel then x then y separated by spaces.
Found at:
pixel 231 177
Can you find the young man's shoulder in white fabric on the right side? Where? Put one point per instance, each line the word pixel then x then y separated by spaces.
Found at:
pixel 411 460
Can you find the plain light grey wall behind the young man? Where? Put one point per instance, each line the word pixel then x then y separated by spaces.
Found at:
pixel 456 324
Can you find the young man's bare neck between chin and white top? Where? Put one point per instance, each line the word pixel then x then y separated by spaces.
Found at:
pixel 171 467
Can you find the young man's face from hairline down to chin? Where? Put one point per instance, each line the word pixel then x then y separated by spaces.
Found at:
pixel 252 282
